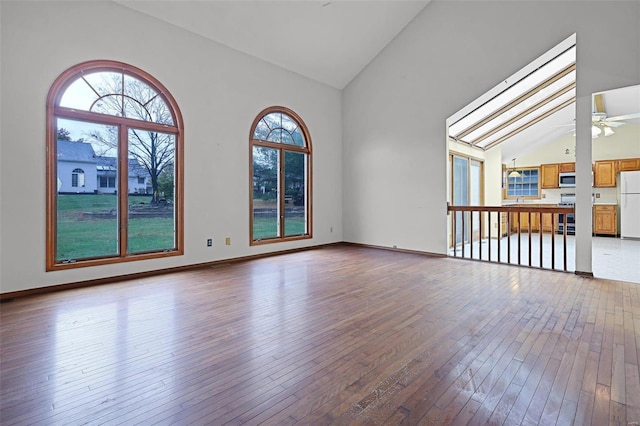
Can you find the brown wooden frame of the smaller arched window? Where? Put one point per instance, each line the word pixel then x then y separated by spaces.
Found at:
pixel 282 147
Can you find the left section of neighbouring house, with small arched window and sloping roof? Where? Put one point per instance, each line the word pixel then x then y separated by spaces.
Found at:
pixel 76 167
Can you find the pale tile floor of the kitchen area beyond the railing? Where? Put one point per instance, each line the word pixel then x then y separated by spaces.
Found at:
pixel 612 258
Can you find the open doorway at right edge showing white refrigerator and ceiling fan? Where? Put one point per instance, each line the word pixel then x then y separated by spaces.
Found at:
pixel 615 151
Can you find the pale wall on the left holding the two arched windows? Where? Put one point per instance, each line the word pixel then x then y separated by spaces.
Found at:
pixel 219 91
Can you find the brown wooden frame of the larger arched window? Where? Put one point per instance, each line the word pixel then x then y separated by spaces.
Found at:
pixel 54 111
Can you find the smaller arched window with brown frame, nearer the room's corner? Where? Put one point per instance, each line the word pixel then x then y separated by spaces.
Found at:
pixel 280 174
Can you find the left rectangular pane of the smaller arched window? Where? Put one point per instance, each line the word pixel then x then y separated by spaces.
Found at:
pixel 266 210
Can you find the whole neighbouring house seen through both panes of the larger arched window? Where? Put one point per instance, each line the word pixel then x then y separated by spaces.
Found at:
pixel 80 170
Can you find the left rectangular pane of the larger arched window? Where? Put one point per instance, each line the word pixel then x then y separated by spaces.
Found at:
pixel 86 217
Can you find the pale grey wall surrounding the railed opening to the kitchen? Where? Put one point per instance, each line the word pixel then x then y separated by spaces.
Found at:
pixel 450 54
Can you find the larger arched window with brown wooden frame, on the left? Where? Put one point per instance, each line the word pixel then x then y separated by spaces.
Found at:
pixel 114 167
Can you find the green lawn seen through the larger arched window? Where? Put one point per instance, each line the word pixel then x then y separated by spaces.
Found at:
pixel 83 236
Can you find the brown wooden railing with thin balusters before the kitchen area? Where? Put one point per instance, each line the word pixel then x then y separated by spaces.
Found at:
pixel 500 247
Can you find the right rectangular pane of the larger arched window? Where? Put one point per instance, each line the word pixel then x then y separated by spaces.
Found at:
pixel 150 190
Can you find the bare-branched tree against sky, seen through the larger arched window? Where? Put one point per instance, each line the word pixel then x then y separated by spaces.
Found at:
pixel 154 151
